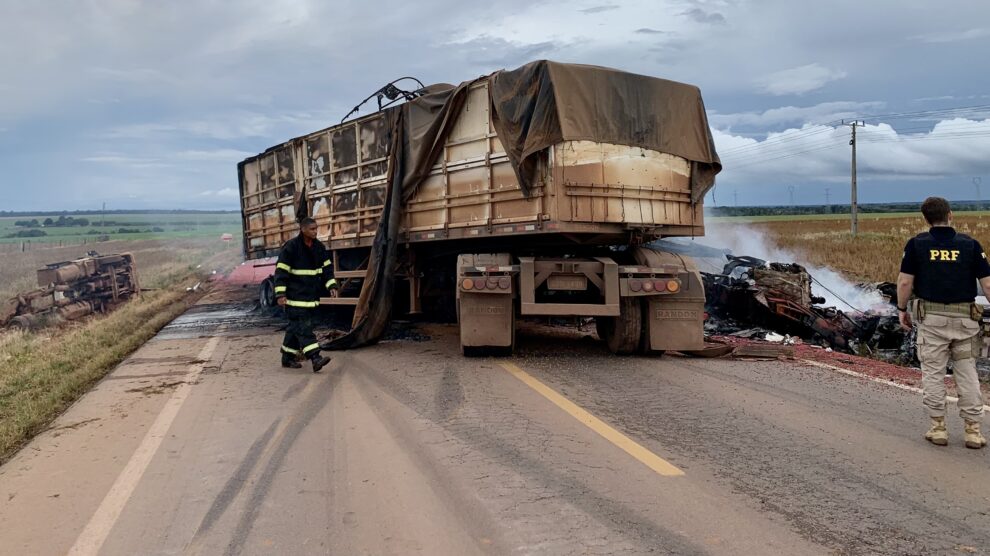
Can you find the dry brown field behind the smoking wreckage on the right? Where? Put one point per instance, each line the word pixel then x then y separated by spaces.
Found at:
pixel 873 255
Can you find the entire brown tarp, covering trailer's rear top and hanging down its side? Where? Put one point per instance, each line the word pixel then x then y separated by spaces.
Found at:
pixel 533 107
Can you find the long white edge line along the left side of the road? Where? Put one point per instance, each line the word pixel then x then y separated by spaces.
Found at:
pixel 93 536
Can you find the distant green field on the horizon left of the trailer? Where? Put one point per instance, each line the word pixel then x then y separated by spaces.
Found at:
pixel 160 226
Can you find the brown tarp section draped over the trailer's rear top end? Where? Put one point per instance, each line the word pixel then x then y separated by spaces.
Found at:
pixel 544 103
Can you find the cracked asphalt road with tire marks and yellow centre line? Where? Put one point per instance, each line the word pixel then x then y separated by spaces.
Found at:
pixel 201 444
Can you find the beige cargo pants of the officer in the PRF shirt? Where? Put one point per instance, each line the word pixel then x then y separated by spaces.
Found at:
pixel 941 337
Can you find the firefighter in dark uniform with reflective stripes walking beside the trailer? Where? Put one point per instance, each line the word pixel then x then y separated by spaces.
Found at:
pixel 303 272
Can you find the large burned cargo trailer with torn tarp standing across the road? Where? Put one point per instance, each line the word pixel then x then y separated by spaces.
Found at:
pixel 522 193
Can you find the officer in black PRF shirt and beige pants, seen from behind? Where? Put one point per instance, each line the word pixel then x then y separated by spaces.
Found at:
pixel 942 268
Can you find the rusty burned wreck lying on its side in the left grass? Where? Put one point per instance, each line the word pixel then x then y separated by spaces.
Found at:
pixel 73 289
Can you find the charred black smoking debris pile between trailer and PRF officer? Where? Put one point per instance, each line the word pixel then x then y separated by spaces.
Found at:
pixel 753 298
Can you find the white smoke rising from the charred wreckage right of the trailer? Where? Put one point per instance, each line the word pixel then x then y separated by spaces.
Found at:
pixel 837 290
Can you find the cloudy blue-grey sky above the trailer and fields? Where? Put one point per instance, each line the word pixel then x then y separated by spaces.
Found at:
pixel 144 104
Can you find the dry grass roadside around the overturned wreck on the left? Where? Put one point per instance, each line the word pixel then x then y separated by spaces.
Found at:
pixel 42 373
